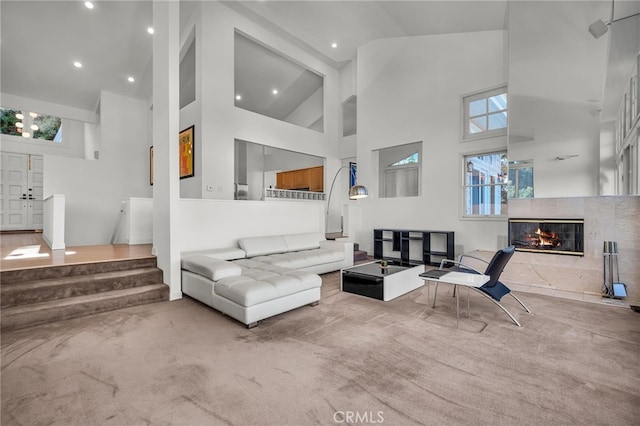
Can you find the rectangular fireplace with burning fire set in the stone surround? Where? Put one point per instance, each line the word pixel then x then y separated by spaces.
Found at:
pixel 554 236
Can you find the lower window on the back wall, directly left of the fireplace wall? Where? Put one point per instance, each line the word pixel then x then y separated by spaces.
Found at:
pixel 485 184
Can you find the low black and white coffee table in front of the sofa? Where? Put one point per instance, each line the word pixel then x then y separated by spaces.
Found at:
pixel 369 279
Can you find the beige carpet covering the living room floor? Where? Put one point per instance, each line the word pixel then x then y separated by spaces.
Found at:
pixel 349 360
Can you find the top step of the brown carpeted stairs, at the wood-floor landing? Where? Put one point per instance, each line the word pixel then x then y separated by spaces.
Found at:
pixel 37 274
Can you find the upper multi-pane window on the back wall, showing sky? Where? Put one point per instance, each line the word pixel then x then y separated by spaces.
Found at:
pixel 485 114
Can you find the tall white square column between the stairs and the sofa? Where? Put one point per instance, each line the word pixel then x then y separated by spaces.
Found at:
pixel 166 185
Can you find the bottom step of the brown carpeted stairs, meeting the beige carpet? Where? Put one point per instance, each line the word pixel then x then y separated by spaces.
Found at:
pixel 18 317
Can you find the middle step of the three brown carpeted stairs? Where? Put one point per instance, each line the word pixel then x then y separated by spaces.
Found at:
pixel 16 294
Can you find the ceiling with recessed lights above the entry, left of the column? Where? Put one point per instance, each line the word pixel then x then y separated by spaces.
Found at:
pixel 41 40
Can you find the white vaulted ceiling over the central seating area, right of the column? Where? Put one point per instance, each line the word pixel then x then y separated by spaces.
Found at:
pixel 351 24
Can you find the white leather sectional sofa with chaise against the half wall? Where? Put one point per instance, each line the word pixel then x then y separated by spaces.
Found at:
pixel 263 276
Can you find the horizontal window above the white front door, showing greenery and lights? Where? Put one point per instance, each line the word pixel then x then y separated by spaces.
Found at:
pixel 30 124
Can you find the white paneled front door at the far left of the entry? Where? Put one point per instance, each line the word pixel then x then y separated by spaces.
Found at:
pixel 22 190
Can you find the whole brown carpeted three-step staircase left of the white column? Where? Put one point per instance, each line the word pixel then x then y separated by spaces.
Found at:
pixel 40 295
